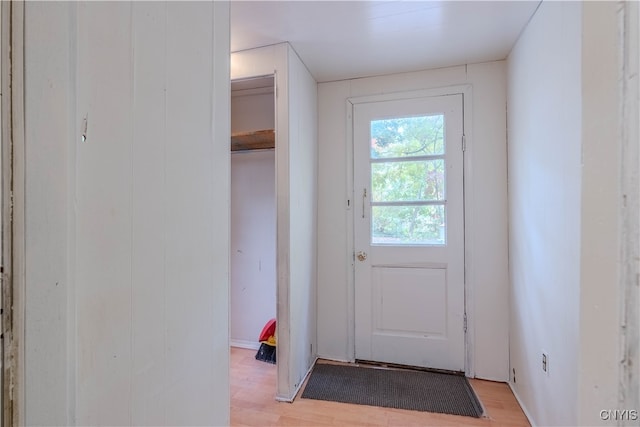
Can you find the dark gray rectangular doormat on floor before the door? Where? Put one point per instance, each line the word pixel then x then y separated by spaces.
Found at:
pixel 402 389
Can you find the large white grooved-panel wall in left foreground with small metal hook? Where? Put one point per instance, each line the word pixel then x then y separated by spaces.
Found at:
pixel 137 216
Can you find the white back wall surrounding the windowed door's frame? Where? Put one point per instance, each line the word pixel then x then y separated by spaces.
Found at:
pixel 486 210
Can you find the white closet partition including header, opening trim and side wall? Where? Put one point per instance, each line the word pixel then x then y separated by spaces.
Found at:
pixel 296 156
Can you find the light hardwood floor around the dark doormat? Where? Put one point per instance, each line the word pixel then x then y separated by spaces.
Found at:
pixel 253 404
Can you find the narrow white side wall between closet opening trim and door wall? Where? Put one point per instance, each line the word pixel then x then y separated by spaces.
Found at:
pixel 303 193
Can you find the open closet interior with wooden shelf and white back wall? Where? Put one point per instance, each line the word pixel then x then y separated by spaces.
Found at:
pixel 253 296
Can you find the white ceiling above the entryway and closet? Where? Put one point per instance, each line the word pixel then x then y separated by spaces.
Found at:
pixel 348 39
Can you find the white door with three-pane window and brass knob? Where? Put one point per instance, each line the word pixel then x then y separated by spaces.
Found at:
pixel 409 232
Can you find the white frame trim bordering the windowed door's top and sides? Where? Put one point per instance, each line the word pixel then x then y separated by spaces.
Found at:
pixel 465 91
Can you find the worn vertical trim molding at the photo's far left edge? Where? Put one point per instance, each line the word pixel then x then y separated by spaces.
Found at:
pixel 13 211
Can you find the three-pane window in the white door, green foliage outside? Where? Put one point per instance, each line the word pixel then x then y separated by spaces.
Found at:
pixel 408 181
